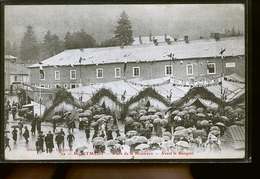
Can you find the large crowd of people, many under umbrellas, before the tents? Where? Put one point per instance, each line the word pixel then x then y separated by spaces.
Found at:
pixel 193 129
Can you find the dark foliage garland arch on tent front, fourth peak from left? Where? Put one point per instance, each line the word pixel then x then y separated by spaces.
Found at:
pixel 203 93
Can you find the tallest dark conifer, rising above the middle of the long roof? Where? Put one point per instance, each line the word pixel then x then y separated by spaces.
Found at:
pixel 124 31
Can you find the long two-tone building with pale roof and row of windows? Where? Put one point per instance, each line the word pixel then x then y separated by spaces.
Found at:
pixel 177 59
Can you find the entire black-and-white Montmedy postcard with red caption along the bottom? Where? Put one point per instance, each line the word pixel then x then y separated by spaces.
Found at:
pixel 125 82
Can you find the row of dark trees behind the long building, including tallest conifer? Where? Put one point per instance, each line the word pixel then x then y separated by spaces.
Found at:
pixel 32 51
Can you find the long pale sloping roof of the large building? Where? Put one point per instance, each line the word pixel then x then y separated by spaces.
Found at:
pixel 147 52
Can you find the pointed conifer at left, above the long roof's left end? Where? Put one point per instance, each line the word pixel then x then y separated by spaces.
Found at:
pixel 29 48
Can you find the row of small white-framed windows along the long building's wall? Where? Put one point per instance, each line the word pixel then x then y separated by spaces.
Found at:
pixel 136 71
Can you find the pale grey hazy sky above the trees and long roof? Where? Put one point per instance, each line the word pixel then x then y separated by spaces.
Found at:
pixel 100 20
